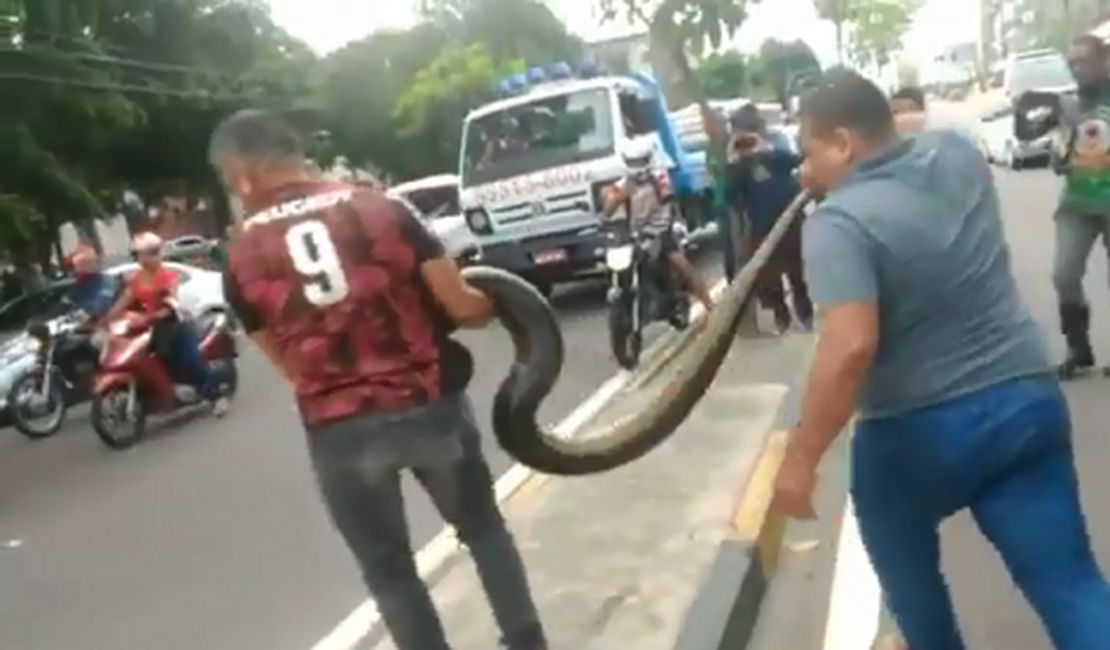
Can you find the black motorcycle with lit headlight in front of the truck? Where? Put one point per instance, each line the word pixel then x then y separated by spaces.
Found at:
pixel 644 289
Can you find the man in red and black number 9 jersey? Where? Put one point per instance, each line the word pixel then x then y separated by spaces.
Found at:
pixel 355 302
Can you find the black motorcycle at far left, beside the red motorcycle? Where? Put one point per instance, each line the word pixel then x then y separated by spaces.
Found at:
pixel 66 363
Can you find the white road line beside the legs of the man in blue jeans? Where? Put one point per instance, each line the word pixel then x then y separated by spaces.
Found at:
pixel 856 601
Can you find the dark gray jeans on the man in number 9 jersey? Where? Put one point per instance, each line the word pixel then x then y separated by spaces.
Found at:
pixel 359 464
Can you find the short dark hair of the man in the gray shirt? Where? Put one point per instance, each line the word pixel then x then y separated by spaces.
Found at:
pixel 847 100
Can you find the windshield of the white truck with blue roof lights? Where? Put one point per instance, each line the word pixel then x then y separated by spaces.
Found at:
pixel 547 134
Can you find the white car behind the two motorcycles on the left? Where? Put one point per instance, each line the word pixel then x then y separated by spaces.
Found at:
pixel 200 292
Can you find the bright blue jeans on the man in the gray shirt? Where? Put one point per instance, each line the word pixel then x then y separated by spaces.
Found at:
pixel 1005 453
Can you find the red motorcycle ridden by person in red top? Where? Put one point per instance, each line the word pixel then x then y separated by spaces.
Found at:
pixel 134 383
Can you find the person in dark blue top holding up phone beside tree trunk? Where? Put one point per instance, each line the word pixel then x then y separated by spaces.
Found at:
pixel 762 181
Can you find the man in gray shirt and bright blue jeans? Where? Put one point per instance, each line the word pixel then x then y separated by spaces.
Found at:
pixel 926 336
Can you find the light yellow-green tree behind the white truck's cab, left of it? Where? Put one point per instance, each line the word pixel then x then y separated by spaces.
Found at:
pixel 396 100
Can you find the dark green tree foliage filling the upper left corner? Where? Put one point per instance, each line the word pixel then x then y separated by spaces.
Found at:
pixel 108 96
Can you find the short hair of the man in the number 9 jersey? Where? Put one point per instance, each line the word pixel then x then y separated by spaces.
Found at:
pixel 256 136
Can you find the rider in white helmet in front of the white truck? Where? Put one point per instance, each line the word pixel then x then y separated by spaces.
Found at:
pixel 645 198
